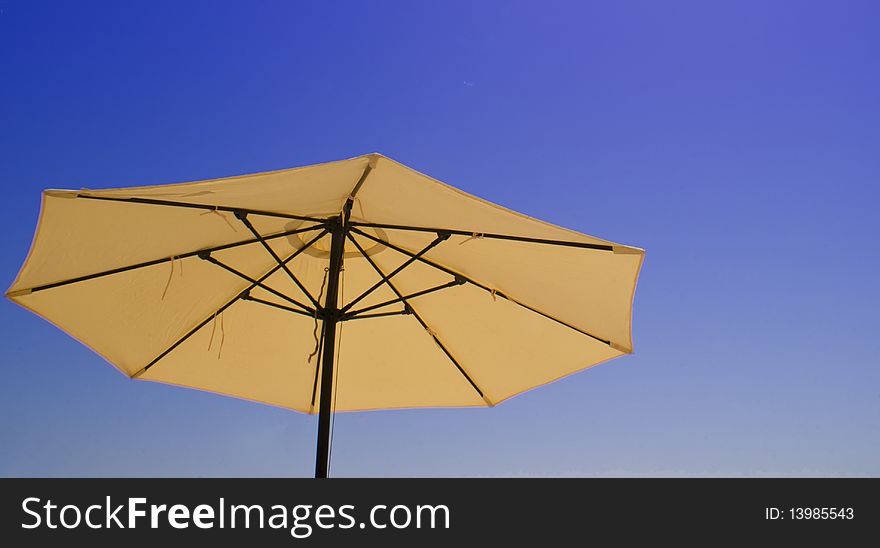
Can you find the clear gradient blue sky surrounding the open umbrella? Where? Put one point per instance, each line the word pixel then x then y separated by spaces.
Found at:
pixel 736 141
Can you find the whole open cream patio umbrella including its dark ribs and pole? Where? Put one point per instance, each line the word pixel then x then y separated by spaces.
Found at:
pixel 351 285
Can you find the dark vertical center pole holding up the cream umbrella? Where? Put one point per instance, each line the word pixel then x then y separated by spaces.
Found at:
pixel 331 318
